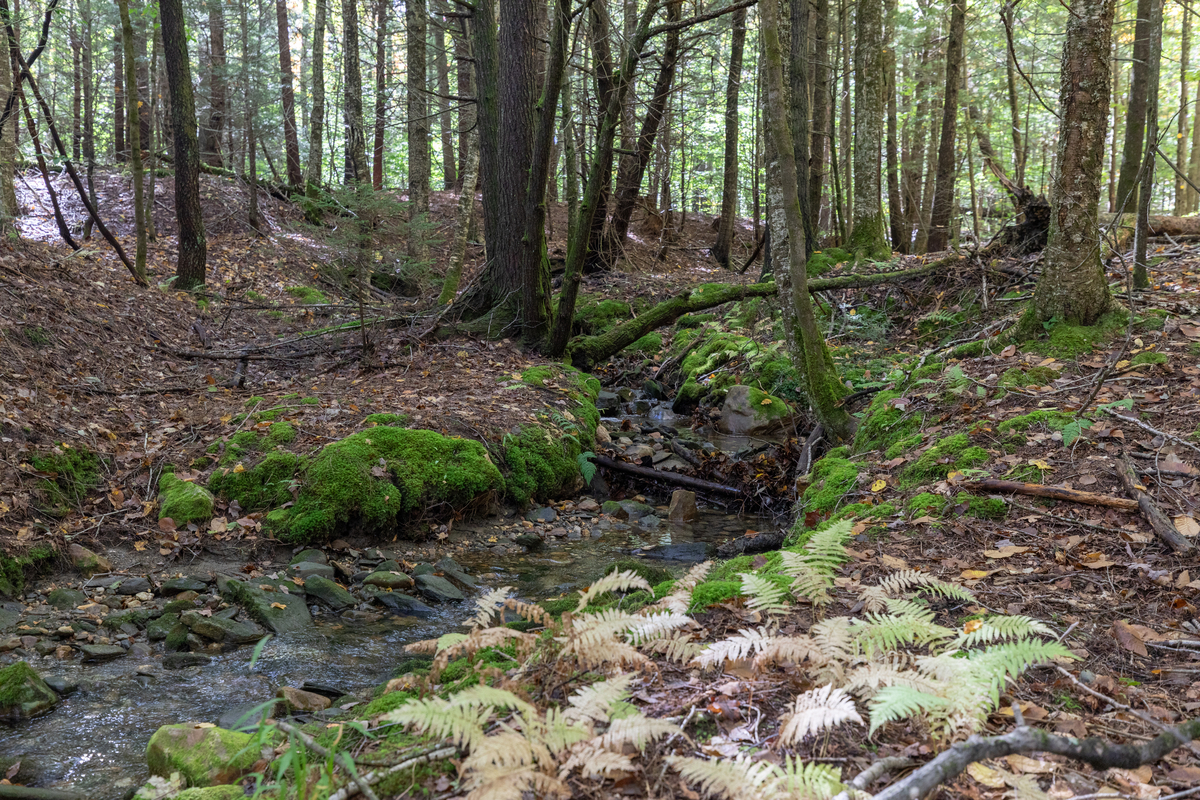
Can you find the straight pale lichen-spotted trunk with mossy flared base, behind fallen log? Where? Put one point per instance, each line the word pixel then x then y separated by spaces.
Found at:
pixel 867 233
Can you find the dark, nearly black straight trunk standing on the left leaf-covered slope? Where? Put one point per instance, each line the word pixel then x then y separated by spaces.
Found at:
pixel 190 269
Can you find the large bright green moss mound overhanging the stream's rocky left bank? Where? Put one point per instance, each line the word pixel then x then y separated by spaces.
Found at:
pixel 377 479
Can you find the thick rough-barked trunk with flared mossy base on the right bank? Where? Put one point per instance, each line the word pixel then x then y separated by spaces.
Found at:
pixel 1072 287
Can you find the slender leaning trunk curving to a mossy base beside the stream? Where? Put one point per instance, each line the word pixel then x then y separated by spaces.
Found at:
pixel 806 342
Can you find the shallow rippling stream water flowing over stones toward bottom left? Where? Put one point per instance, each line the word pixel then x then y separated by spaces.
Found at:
pixel 95 741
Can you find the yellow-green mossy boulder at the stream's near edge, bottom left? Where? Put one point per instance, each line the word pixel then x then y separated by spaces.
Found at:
pixel 203 756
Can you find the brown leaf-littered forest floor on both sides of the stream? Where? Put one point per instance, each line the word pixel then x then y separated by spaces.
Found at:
pixel 93 362
